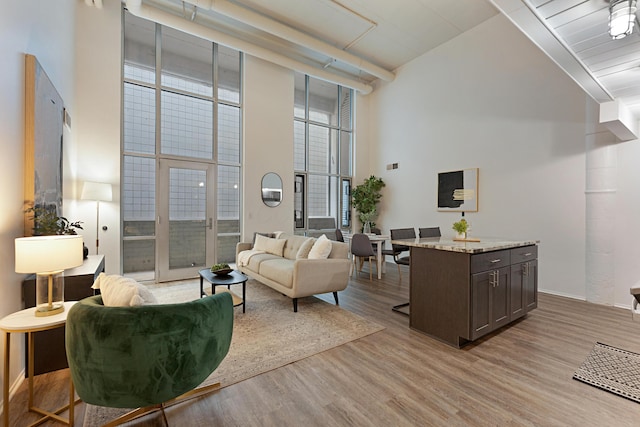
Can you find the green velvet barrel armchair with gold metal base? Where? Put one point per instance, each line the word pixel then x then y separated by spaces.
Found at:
pixel 145 356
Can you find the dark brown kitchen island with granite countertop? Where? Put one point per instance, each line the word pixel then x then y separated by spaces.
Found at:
pixel 463 290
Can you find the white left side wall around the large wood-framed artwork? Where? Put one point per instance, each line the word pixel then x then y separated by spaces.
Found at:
pixel 46 30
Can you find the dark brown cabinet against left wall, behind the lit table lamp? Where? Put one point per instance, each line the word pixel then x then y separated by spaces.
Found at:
pixel 50 354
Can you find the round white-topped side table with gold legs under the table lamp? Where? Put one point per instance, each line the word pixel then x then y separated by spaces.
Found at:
pixel 25 321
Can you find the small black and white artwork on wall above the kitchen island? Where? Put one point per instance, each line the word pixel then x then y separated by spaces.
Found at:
pixel 458 190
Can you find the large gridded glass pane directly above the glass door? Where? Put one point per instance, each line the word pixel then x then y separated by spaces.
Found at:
pixel 187 126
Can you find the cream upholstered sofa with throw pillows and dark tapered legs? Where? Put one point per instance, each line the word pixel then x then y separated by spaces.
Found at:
pixel 284 264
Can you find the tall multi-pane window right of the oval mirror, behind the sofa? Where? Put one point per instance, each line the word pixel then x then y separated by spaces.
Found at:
pixel 323 147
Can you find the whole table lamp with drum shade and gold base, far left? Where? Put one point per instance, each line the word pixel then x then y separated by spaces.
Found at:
pixel 48 257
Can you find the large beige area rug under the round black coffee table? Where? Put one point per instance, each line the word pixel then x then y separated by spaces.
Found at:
pixel 267 336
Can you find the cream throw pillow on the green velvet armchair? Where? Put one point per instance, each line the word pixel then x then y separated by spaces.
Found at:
pixel 119 291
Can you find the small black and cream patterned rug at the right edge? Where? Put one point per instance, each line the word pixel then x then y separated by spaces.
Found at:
pixel 612 369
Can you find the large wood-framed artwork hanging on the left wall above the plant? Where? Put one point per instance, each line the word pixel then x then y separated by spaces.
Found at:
pixel 44 121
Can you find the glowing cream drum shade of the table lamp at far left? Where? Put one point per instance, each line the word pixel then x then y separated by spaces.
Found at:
pixel 41 254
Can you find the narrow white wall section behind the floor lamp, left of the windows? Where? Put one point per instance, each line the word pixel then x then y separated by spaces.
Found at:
pixel 96 123
